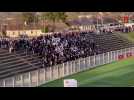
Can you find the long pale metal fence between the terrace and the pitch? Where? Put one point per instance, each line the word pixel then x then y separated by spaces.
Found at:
pixel 44 75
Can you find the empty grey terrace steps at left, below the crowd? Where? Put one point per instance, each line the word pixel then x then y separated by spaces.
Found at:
pixel 12 64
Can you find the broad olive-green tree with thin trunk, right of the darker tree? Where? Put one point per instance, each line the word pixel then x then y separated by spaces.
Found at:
pixel 55 17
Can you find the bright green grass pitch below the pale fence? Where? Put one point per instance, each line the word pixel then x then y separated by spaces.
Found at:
pixel 118 74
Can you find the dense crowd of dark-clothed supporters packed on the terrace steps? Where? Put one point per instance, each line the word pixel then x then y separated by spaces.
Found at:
pixel 54 49
